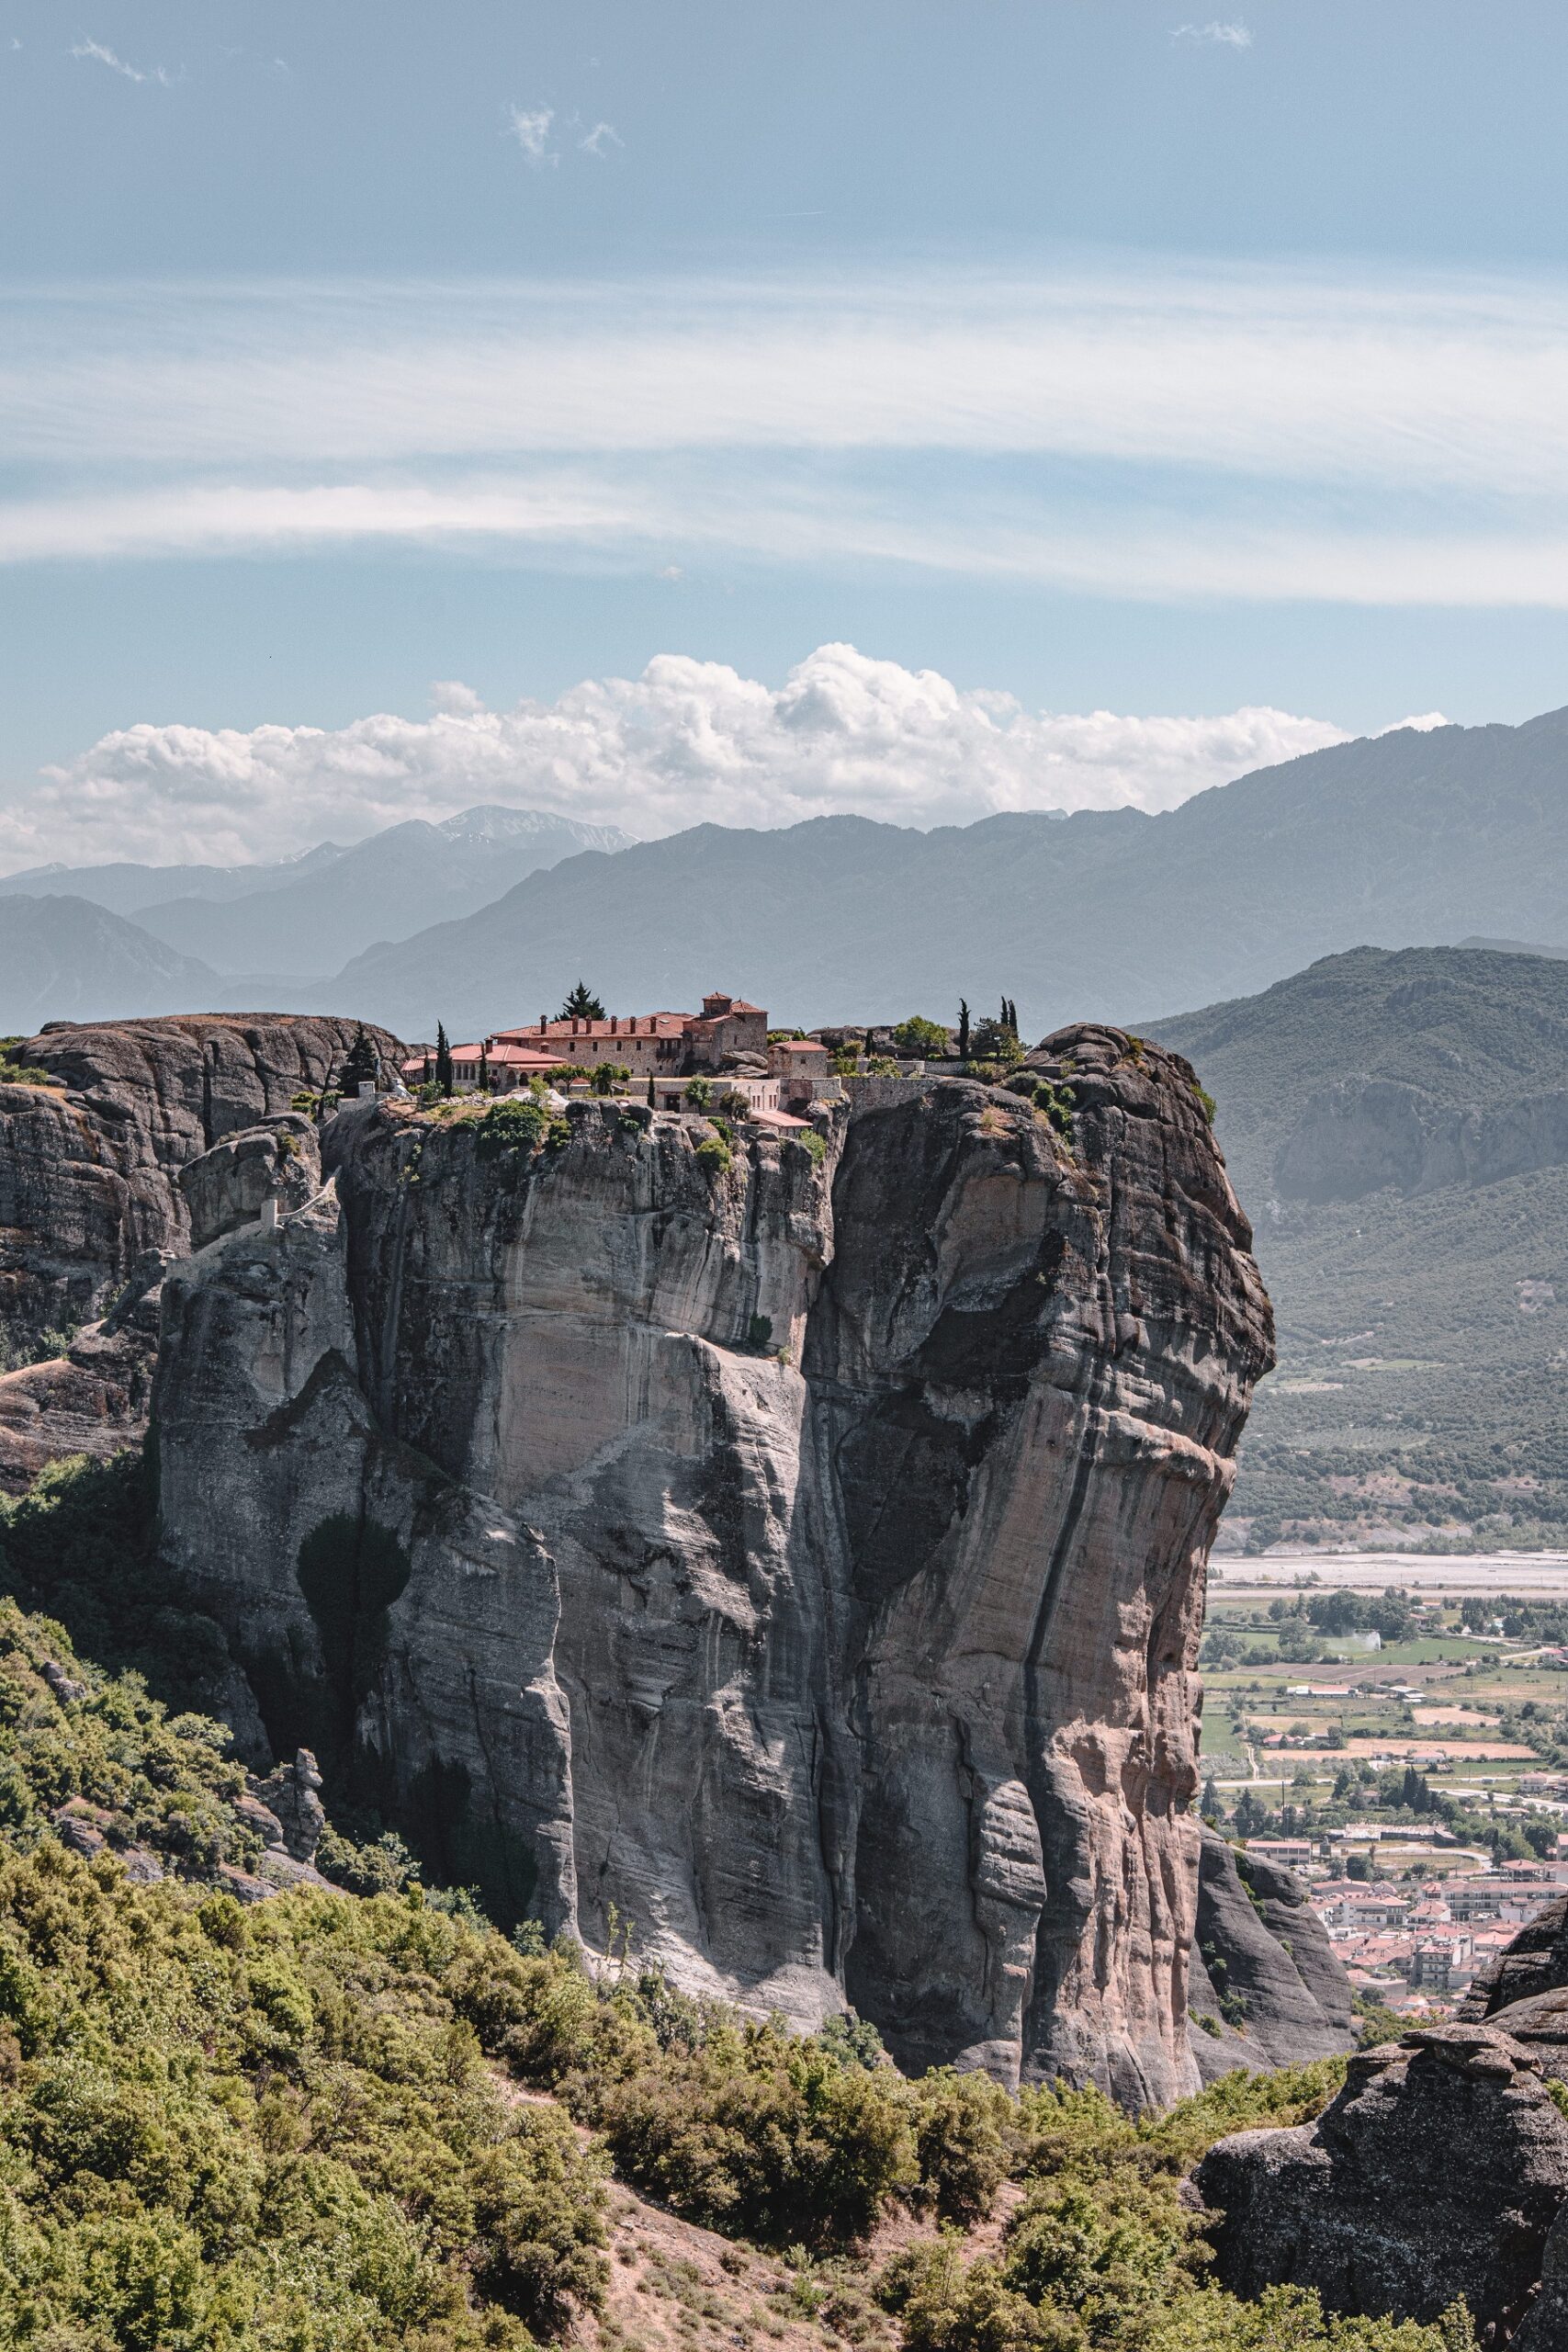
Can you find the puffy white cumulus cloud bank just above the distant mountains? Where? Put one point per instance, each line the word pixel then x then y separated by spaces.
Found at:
pixel 688 742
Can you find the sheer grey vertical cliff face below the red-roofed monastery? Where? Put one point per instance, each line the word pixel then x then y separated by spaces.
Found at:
pixel 803 1558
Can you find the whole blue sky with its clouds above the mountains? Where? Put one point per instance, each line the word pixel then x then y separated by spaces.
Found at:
pixel 704 413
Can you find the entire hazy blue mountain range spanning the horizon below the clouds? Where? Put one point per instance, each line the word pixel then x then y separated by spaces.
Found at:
pixel 1405 838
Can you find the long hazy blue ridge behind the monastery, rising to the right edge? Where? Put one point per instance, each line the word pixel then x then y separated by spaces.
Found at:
pixel 1398 838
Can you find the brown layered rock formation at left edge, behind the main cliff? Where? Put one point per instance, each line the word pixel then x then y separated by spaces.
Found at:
pixel 93 1201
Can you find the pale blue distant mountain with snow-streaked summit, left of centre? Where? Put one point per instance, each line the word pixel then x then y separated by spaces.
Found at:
pixel 316 911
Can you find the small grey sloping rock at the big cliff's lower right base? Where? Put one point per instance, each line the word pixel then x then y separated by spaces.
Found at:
pixel 1266 1984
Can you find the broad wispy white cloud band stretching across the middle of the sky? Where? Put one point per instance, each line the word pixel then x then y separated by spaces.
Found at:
pixel 1177 434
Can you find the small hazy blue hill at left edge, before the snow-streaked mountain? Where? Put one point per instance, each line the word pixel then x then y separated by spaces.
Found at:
pixel 74 961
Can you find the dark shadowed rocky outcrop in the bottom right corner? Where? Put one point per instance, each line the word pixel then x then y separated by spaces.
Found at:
pixel 1435 2174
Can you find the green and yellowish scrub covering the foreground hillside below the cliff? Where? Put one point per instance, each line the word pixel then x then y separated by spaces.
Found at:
pixel 290 2127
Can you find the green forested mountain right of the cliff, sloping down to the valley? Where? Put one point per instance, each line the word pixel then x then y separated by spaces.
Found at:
pixel 1398 1128
